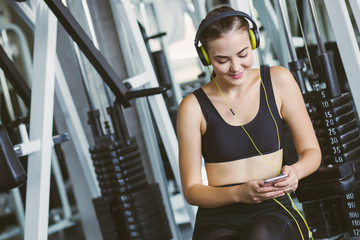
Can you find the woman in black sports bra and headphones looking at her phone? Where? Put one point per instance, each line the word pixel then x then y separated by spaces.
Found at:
pixel 236 125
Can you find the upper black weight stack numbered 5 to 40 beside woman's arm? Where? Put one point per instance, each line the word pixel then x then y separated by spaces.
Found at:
pixel 336 128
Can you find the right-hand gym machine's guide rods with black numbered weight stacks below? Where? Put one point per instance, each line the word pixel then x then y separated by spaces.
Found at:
pixel 330 196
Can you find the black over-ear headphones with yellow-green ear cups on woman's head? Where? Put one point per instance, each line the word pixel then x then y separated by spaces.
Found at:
pixel 254 34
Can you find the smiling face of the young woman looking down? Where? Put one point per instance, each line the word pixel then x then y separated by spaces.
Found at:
pixel 231 57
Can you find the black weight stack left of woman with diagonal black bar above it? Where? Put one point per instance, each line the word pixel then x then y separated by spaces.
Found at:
pixel 116 157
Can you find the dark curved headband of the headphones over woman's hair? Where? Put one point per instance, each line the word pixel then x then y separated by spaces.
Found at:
pixel 219 16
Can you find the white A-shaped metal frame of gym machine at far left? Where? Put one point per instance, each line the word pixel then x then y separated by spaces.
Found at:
pixel 37 197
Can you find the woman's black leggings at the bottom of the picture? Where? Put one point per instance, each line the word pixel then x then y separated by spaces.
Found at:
pixel 269 225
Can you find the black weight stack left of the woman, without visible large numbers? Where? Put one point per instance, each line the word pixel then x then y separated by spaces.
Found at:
pixel 129 207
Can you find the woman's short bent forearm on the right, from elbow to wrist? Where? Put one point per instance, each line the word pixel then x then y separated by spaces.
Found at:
pixel 309 161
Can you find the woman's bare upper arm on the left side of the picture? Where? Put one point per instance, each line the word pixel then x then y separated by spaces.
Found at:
pixel 189 139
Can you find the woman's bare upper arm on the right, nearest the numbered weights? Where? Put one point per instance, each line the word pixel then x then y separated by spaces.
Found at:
pixel 293 109
